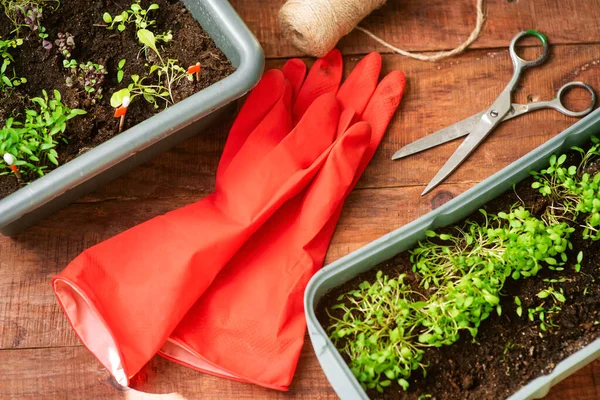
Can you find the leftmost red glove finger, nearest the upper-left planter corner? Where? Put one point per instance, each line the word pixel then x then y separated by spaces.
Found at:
pixel 259 103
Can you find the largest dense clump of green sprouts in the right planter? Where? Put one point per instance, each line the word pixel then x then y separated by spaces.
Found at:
pixel 386 325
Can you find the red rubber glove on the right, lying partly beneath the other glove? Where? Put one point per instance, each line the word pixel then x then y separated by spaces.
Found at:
pixel 249 325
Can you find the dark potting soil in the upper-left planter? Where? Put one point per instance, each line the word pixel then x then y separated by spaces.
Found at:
pixel 83 19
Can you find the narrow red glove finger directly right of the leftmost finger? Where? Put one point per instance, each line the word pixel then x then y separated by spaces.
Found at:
pixel 275 126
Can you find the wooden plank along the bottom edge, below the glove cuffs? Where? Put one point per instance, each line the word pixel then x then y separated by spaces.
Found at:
pixel 71 372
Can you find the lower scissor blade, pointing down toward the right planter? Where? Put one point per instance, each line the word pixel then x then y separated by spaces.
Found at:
pixel 480 131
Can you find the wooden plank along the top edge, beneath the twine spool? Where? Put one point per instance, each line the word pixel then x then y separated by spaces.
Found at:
pixel 420 25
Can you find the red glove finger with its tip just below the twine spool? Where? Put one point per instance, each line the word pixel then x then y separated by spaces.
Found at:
pixel 324 77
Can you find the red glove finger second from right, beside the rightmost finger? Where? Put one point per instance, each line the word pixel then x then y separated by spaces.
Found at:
pixel 357 89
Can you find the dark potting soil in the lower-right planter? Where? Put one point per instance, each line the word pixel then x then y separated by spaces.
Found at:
pixel 508 352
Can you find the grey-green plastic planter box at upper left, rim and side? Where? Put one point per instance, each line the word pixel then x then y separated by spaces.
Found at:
pixel 144 141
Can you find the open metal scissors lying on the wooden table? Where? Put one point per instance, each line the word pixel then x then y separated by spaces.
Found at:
pixel 479 126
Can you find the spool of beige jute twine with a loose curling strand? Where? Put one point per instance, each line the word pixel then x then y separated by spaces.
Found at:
pixel 315 26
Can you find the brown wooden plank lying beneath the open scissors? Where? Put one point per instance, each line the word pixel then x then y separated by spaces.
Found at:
pixel 436 96
